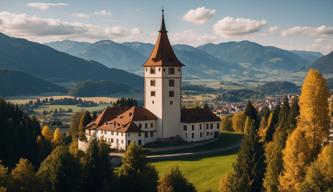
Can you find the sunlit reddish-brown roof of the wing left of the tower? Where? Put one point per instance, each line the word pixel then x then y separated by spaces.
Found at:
pixel 124 121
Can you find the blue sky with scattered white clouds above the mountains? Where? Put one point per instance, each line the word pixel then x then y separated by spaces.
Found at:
pixel 288 24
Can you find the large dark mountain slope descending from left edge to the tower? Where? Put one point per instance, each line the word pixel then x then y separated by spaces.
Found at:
pixel 46 63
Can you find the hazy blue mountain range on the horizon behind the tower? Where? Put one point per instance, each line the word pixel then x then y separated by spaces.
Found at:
pixel 209 61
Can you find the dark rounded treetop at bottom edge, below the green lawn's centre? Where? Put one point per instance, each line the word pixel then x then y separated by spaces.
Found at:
pixel 175 182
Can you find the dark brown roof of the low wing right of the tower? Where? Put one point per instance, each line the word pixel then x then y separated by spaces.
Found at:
pixel 197 115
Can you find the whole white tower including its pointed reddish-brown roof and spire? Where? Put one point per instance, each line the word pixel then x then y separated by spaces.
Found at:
pixel 162 74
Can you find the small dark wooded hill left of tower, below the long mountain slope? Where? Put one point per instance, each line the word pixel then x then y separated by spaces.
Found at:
pixel 99 88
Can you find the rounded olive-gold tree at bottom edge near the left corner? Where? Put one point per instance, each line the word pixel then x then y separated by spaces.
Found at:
pixel 23 176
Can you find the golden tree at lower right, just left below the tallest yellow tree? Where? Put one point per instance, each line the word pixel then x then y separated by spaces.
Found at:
pixel 295 160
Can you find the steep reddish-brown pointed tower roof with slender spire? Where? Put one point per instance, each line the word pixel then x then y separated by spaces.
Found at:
pixel 162 54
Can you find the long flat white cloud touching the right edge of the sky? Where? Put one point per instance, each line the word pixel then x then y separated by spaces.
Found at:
pixel 321 30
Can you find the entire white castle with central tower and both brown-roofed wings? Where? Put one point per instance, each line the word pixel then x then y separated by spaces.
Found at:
pixel 162 117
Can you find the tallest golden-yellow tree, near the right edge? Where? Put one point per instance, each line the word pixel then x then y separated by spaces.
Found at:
pixel 314 113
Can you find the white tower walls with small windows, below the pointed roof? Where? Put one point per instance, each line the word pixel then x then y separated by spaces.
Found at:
pixel 163 98
